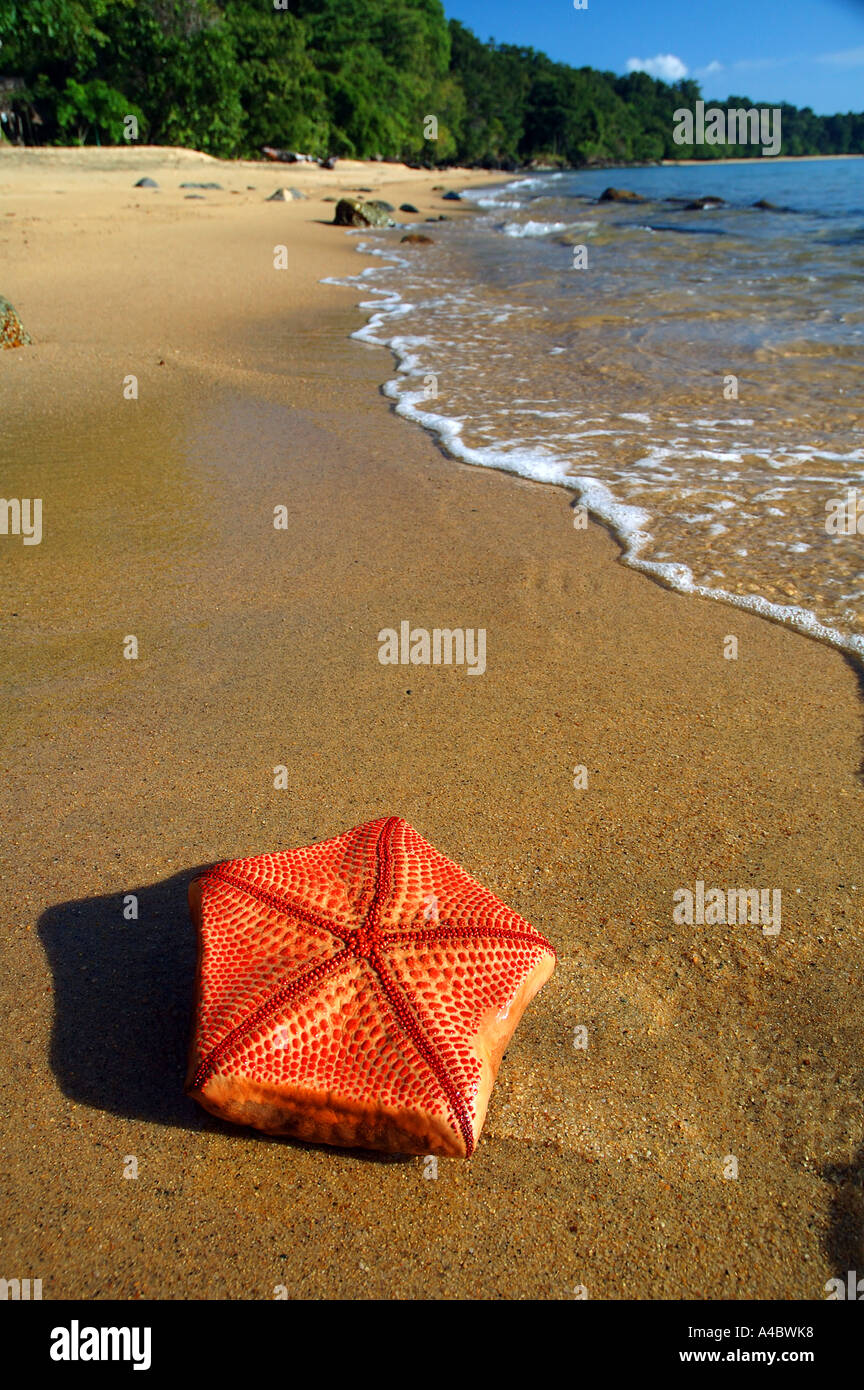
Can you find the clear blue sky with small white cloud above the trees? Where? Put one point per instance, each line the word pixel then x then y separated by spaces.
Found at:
pixel 808 52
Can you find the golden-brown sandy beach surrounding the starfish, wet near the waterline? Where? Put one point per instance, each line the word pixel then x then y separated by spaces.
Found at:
pixel 602 1170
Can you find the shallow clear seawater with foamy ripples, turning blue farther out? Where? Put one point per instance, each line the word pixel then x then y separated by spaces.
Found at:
pixel 616 380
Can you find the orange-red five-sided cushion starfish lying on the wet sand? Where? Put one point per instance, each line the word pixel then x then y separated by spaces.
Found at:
pixel 359 992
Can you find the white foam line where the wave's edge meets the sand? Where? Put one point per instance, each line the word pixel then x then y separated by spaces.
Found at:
pixel 629 523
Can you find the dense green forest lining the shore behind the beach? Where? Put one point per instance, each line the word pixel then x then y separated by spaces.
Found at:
pixel 347 79
